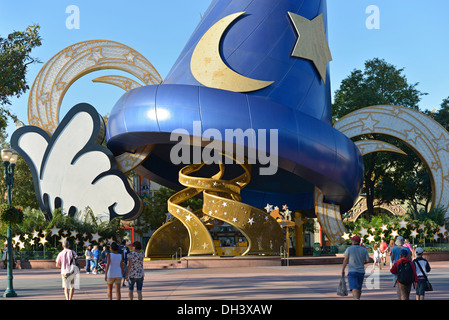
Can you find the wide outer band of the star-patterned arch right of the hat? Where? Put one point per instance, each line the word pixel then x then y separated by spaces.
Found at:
pixel 421 133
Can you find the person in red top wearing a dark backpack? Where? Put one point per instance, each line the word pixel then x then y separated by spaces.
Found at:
pixel 406 275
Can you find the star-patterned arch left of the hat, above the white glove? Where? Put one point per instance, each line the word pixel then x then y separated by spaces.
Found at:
pixel 74 62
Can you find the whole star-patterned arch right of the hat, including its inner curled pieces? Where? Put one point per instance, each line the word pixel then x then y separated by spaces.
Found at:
pixel 421 133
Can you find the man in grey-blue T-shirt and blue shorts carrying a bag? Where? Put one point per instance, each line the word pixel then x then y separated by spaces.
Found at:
pixel 355 258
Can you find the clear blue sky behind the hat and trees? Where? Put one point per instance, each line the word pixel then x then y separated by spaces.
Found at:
pixel 412 34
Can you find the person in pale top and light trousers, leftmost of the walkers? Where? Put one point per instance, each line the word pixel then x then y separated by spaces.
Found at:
pixel 69 271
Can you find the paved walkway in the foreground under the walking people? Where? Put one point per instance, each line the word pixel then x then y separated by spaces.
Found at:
pixel 252 283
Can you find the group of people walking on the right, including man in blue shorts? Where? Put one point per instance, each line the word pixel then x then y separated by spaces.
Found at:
pixel 405 270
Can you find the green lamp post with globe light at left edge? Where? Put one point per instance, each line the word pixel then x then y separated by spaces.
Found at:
pixel 9 158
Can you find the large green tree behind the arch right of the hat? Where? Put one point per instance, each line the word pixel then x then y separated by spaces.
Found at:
pixel 380 83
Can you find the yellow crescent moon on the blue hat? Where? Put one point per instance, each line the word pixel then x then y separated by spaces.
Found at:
pixel 207 65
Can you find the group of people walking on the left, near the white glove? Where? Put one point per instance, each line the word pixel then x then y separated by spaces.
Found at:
pixel 120 265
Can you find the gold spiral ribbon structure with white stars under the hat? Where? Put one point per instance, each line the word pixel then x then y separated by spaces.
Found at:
pixel 221 200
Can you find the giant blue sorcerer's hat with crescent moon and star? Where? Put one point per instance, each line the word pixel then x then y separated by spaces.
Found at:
pixel 250 64
